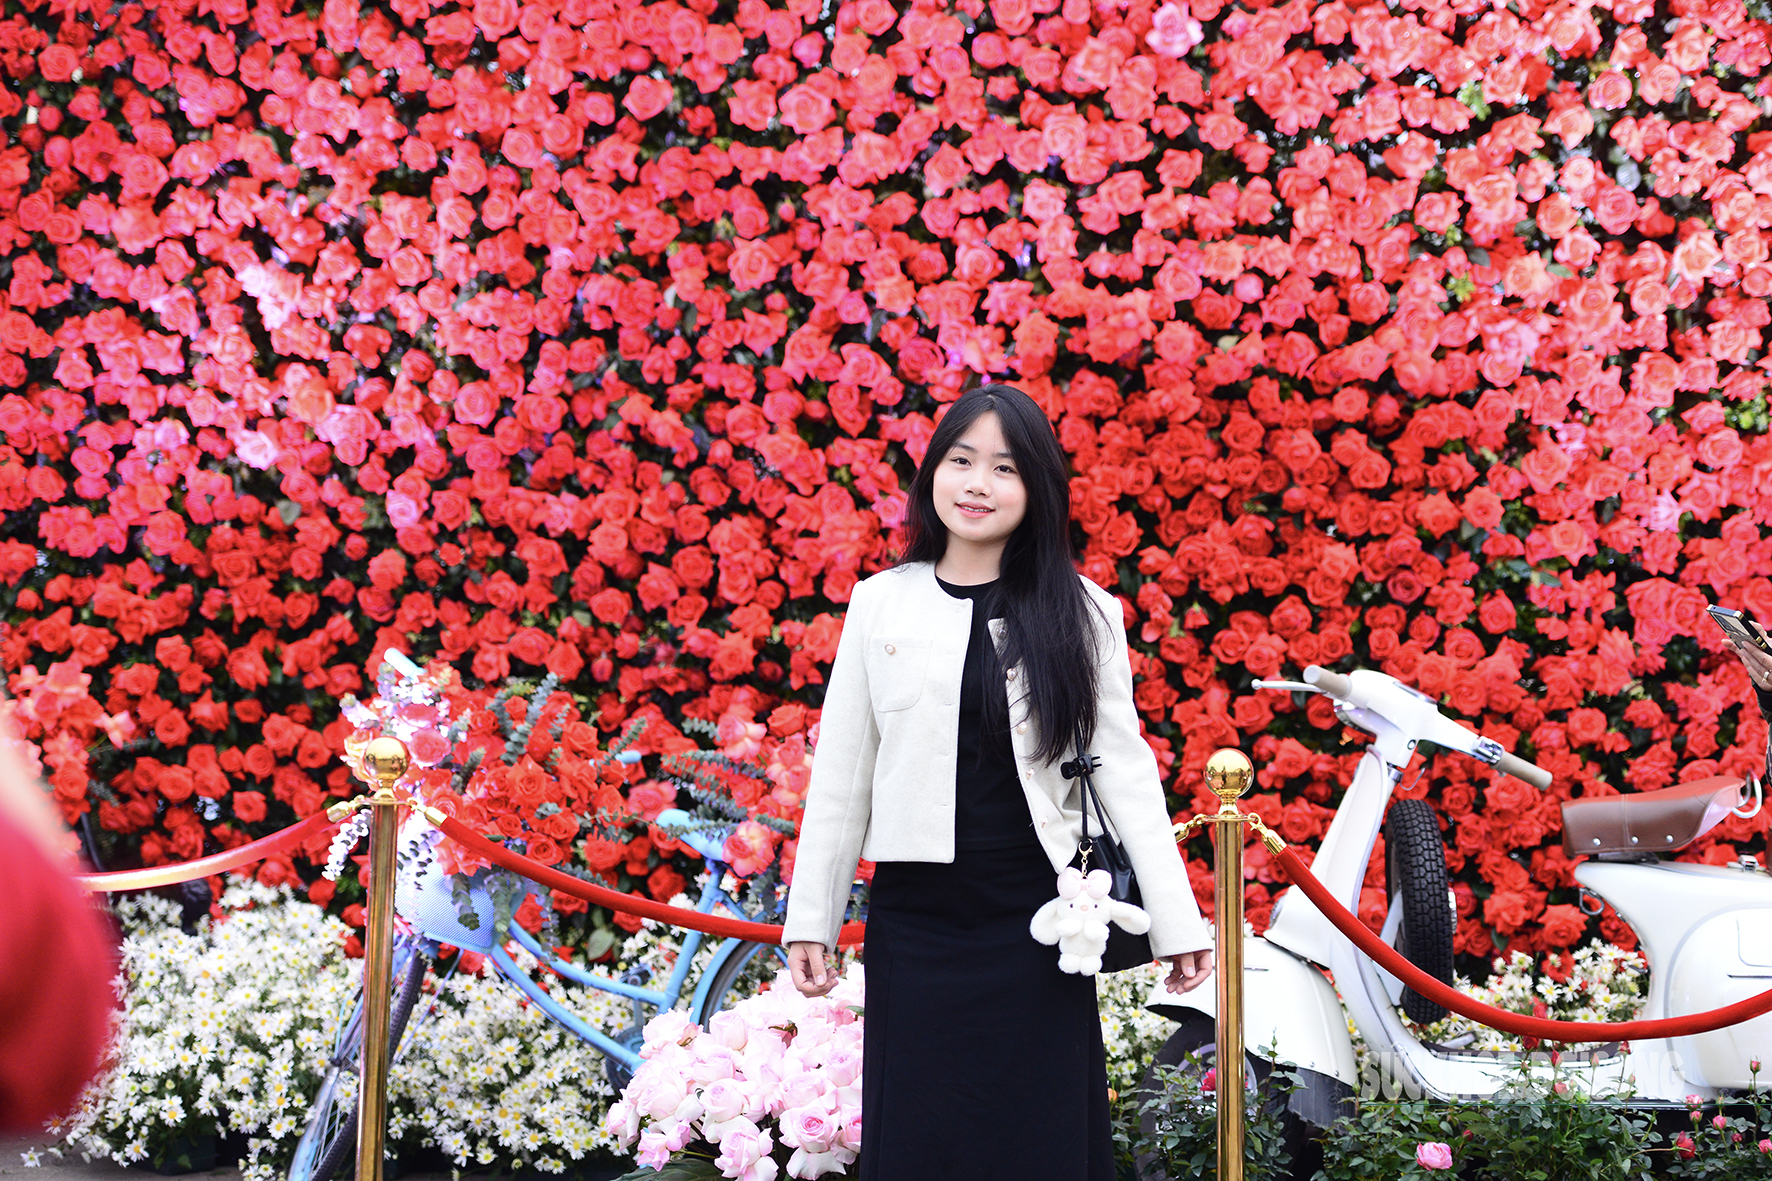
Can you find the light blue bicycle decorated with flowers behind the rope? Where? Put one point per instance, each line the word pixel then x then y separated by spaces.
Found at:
pixel 428 918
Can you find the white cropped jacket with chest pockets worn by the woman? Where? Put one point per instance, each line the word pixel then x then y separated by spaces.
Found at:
pixel 885 763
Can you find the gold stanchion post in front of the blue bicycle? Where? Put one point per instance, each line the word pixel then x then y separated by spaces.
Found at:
pixel 387 762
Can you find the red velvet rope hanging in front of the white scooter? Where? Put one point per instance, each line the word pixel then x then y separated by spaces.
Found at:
pixel 1507 1022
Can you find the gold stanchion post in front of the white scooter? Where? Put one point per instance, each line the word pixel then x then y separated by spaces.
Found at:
pixel 1229 776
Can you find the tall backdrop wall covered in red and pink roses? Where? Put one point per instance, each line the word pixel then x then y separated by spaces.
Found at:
pixel 602 338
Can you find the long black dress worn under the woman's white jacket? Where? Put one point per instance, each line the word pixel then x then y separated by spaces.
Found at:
pixel 981 1060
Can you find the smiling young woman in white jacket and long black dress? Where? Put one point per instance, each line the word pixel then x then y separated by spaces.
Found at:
pixel 963 680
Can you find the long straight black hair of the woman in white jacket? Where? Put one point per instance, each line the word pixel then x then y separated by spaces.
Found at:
pixel 1039 595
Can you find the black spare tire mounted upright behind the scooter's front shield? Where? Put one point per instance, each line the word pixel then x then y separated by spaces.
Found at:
pixel 1415 857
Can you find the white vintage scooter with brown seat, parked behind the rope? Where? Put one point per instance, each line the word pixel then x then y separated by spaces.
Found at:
pixel 1706 930
